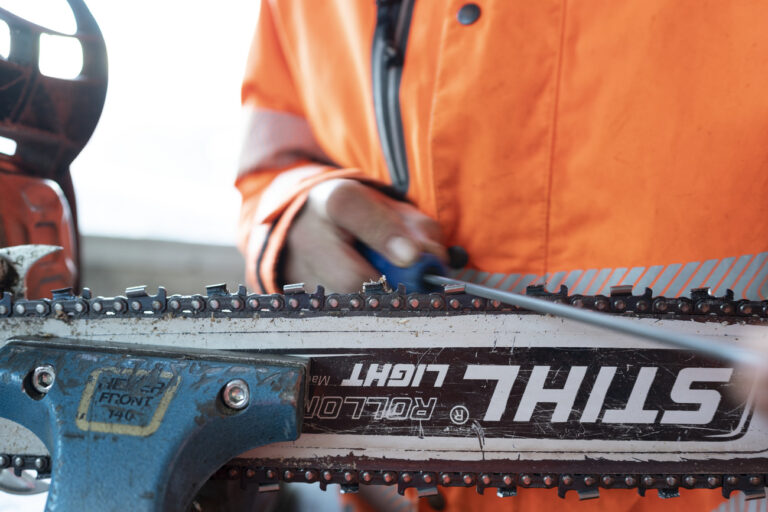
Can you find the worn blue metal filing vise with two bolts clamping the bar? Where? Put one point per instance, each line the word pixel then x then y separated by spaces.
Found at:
pixel 143 429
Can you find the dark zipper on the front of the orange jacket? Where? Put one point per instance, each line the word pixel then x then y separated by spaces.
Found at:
pixel 393 21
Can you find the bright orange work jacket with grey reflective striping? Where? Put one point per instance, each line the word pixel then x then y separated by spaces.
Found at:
pixel 589 144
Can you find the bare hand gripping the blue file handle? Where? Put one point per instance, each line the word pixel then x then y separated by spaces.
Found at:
pixel 320 248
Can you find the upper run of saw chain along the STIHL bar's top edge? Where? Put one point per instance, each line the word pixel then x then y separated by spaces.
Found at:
pixel 376 297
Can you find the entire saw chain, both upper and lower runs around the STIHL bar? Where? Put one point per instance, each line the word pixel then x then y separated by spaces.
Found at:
pixel 377 298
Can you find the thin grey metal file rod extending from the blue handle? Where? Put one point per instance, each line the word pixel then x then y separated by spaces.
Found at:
pixel 719 350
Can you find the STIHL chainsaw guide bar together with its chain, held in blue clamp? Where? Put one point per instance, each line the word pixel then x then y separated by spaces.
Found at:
pixel 448 389
